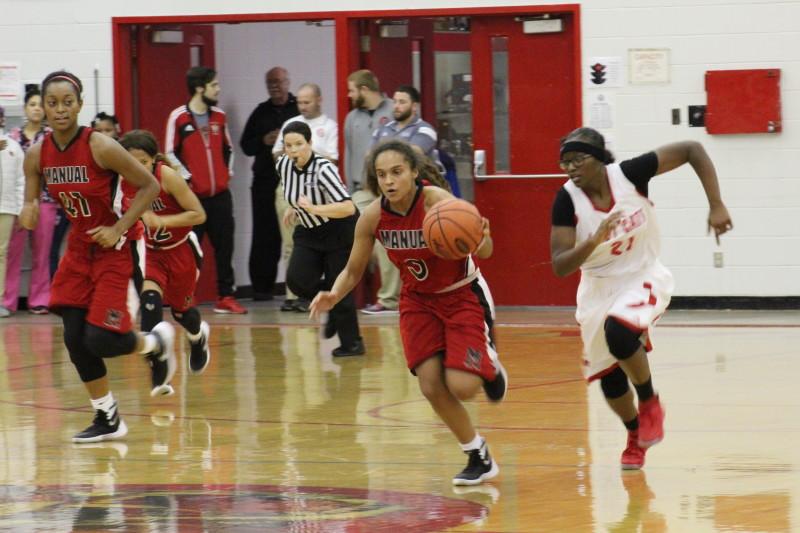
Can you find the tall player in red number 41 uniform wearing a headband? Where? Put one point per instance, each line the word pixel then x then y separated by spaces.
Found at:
pixel 89 291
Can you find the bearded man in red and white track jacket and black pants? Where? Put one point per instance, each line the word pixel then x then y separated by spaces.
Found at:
pixel 199 146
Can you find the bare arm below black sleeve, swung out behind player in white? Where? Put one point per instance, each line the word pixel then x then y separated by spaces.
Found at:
pixel 674 155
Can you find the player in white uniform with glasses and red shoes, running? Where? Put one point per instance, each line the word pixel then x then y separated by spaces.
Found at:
pixel 604 224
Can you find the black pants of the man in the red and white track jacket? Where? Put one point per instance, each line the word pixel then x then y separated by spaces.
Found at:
pixel 219 225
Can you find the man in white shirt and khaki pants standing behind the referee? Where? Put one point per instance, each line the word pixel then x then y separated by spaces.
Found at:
pixel 325 143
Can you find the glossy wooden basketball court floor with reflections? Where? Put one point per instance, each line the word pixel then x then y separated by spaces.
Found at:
pixel 277 436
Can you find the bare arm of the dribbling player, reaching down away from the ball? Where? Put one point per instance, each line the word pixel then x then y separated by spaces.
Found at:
pixel 347 279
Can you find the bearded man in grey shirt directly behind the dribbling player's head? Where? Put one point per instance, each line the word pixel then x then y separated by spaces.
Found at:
pixel 407 124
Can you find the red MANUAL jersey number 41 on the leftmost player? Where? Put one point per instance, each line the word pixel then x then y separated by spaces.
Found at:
pixel 88 193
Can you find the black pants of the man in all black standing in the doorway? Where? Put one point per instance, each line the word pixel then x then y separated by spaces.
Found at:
pixel 265 247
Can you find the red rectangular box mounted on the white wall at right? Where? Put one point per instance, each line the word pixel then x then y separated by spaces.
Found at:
pixel 743 101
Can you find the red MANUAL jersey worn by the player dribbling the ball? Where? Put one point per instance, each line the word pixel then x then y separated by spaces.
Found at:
pixel 420 269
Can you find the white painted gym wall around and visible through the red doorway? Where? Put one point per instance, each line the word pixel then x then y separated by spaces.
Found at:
pixel 759 174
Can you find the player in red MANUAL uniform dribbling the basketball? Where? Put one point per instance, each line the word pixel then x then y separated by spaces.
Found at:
pixel 446 310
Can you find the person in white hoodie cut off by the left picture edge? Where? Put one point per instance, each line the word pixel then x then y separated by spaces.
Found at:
pixel 12 192
